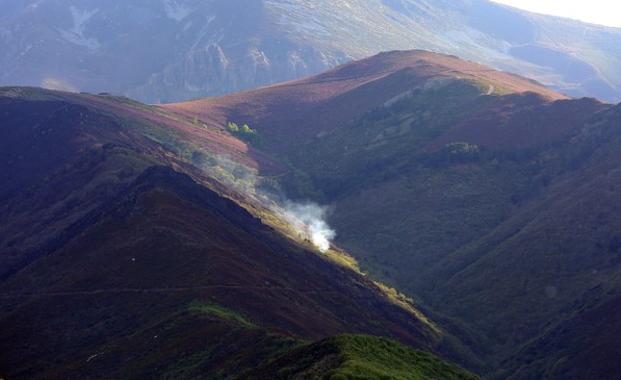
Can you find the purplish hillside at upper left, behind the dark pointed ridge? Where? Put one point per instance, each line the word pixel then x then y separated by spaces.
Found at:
pixel 47 133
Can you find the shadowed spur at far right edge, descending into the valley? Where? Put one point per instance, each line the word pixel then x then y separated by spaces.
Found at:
pixel 556 258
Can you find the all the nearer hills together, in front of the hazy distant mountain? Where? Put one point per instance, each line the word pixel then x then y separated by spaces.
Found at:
pixel 474 210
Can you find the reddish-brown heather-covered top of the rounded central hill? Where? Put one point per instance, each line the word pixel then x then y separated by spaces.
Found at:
pixel 292 113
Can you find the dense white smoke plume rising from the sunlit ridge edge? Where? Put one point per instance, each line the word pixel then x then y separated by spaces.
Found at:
pixel 309 220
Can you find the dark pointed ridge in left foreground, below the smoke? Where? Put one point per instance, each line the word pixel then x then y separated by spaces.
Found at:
pixel 165 251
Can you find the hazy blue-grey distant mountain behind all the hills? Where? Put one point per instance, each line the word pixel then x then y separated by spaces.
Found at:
pixel 173 50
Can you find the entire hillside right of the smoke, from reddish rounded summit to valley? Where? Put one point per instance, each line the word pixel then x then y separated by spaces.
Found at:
pixel 482 195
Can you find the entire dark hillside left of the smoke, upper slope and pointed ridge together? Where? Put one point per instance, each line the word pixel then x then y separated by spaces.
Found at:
pixel 122 258
